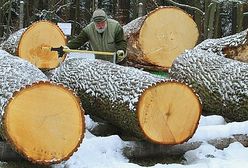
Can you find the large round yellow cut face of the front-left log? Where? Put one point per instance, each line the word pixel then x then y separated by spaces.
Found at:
pixel 44 122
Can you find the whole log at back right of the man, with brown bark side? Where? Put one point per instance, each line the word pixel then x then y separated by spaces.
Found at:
pixel 156 39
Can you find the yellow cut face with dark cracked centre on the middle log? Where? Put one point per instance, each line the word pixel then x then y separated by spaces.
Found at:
pixel 169 113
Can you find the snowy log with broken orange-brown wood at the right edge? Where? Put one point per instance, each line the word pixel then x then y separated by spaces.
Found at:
pixel 233 47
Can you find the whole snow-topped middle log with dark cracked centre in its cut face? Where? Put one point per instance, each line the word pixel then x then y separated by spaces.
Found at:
pixel 148 107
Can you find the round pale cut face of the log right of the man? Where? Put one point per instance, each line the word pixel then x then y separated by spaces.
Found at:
pixel 165 34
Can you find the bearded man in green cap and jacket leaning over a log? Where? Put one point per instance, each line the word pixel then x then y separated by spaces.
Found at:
pixel 104 35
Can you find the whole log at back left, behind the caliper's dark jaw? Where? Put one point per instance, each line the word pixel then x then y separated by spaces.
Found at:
pixel 27 44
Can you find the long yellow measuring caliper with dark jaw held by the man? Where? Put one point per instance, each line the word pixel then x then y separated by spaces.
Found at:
pixel 61 51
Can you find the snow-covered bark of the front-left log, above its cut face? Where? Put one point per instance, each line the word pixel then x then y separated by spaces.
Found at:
pixel 13 79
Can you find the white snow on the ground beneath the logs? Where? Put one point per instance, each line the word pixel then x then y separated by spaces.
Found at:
pixel 106 152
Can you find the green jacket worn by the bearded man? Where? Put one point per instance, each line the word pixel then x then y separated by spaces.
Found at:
pixel 111 40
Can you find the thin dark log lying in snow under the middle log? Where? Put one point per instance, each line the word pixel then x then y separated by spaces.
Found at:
pixel 139 149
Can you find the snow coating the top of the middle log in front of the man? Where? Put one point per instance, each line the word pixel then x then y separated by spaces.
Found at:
pixel 105 79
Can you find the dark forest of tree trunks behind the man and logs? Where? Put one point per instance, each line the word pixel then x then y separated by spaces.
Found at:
pixel 215 18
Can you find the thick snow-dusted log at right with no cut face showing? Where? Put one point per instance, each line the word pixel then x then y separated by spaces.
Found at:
pixel 222 83
